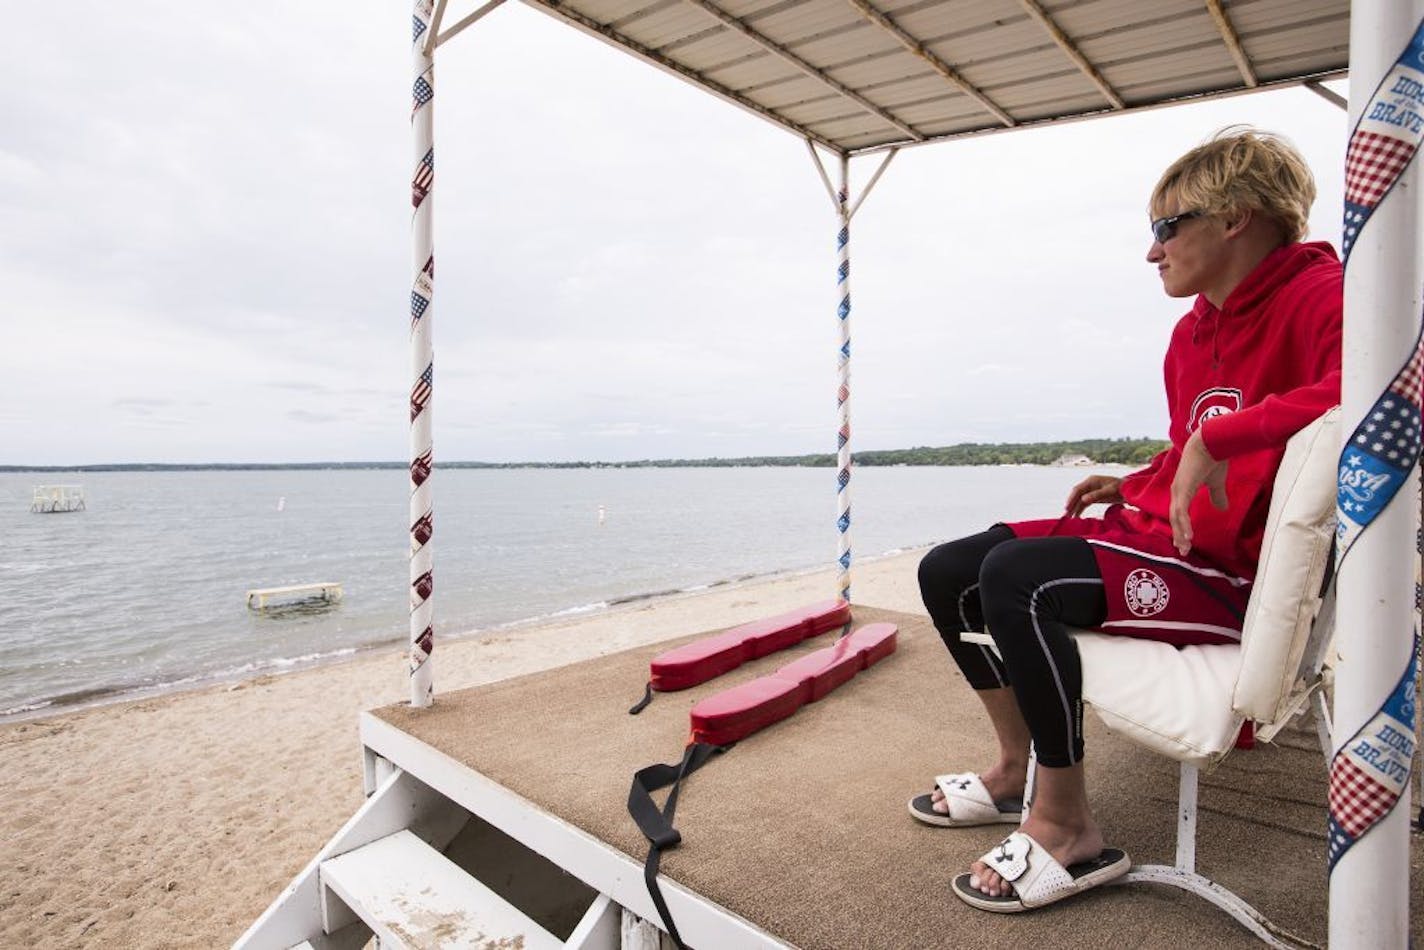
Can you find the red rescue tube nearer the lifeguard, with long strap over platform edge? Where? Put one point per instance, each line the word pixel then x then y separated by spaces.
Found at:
pixel 738 713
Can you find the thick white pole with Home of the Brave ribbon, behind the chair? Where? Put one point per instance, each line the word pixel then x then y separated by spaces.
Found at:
pixel 1379 495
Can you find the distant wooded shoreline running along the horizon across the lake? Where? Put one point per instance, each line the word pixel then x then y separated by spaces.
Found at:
pixel 1130 452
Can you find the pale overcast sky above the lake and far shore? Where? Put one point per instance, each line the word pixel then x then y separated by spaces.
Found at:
pixel 206 224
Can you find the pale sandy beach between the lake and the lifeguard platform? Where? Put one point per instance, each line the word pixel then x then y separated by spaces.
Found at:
pixel 174 821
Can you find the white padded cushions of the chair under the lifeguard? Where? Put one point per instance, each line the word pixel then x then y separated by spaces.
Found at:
pixel 1191 703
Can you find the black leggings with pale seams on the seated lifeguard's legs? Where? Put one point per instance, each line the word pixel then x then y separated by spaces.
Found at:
pixel 1027 592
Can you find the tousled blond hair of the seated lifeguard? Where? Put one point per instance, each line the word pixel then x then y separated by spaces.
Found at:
pixel 1241 169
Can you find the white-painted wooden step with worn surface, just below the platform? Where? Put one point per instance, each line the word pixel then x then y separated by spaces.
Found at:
pixel 414 897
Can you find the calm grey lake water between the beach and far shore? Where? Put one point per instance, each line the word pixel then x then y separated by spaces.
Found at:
pixel 146 589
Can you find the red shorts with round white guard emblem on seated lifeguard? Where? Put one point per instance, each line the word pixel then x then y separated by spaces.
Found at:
pixel 1153 592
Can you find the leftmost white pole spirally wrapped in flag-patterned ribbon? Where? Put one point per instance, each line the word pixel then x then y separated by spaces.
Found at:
pixel 422 360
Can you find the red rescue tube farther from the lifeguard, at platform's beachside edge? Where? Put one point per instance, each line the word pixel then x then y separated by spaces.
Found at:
pixel 704 660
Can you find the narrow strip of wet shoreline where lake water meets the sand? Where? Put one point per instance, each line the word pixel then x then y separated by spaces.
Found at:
pixel 45 709
